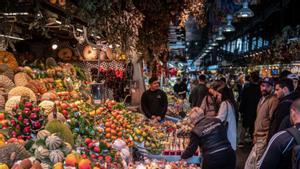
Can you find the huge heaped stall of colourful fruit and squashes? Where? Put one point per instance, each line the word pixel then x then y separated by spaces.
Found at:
pixel 48 120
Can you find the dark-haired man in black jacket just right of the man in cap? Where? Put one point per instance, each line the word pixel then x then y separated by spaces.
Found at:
pixel 284 92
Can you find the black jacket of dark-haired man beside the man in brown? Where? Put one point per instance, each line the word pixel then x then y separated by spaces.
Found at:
pixel 282 110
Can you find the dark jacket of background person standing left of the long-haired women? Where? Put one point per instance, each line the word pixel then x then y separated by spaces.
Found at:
pixel 197 95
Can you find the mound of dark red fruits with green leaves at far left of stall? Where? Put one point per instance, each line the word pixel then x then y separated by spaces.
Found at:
pixel 26 120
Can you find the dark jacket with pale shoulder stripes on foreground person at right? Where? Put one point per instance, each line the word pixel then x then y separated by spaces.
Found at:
pixel 278 152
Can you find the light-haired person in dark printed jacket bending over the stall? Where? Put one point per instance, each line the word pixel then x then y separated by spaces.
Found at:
pixel 210 135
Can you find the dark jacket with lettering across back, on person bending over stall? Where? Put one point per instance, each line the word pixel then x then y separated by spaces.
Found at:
pixel 210 135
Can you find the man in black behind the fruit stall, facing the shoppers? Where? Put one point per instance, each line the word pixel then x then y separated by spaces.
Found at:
pixel 154 101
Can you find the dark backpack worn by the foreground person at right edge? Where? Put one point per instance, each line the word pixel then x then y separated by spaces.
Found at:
pixel 296 148
